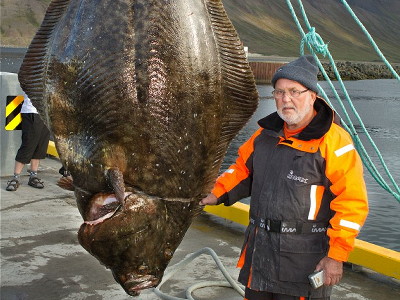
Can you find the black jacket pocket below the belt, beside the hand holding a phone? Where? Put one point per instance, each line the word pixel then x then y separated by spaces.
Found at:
pixel 299 255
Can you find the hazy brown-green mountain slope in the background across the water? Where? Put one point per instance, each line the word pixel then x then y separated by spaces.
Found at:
pixel 265 26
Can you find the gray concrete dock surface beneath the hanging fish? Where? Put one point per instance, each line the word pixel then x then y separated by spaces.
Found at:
pixel 42 259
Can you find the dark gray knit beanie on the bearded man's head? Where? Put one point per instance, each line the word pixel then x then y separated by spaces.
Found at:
pixel 303 70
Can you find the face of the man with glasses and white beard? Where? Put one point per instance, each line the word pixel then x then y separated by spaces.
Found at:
pixel 298 111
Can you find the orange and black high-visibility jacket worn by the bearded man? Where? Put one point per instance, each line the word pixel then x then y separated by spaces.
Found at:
pixel 312 181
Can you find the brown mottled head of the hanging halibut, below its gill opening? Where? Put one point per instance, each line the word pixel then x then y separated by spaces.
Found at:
pixel 138 252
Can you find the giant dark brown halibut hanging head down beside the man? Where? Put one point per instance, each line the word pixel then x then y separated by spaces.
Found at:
pixel 143 98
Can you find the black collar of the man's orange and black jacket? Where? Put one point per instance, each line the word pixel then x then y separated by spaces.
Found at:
pixel 317 128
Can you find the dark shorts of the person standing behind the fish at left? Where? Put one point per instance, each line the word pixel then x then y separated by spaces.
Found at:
pixel 35 139
